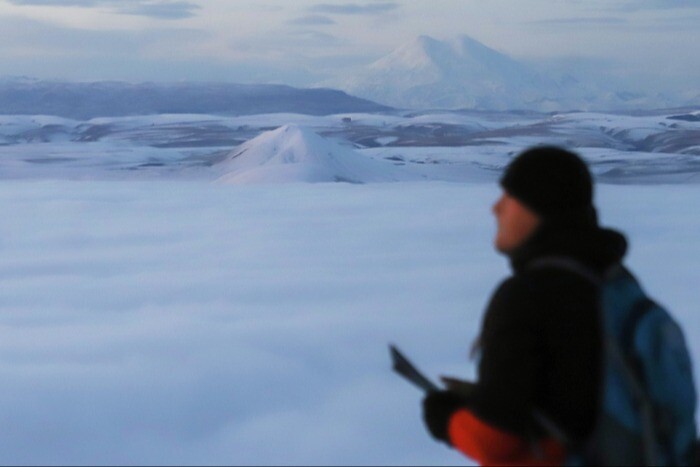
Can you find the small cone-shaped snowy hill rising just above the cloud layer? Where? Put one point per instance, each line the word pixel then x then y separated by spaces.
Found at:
pixel 297 154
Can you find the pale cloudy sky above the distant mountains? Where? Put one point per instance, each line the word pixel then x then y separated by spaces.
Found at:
pixel 308 41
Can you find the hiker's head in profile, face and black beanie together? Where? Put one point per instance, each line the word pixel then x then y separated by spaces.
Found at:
pixel 543 185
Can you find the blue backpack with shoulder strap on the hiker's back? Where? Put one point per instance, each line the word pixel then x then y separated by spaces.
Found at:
pixel 647 415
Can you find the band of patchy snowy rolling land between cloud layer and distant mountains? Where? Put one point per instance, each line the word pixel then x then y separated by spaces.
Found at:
pixel 658 147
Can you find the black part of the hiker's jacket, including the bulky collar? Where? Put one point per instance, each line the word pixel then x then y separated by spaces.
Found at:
pixel 541 345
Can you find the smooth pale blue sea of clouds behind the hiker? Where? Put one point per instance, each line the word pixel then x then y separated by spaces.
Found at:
pixel 183 322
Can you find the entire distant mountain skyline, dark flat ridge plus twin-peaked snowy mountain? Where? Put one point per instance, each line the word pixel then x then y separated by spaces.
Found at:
pixel 425 73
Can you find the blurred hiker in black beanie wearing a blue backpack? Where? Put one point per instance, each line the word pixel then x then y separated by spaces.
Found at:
pixel 545 378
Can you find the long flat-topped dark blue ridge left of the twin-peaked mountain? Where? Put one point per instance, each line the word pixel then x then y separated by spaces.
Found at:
pixel 114 99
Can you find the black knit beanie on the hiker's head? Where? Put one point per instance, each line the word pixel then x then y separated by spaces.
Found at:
pixel 554 183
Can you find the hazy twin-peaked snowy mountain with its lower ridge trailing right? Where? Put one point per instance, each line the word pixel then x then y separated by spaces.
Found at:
pixel 463 73
